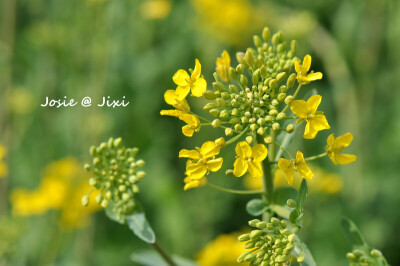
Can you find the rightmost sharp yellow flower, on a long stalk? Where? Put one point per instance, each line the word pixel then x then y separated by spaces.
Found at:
pixel 335 146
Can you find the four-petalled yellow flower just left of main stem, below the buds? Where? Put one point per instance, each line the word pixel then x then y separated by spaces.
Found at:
pixel 249 159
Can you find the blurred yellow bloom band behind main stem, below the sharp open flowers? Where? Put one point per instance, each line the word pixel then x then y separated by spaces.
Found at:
pixel 326 183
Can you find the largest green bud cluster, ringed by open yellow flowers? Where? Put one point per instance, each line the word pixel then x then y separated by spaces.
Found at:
pixel 256 89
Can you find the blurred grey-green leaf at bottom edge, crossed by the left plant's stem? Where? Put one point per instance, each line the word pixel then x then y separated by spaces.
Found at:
pixel 152 258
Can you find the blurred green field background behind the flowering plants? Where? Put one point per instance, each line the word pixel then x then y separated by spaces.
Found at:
pixel 132 48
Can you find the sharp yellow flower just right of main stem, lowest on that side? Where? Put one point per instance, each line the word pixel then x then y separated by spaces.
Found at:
pixel 298 165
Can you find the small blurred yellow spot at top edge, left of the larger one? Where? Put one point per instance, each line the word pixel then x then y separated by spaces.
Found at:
pixel 155 9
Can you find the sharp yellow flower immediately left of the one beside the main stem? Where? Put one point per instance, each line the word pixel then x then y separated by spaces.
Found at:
pixel 202 160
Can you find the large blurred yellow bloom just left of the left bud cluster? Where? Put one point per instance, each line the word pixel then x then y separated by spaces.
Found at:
pixel 62 187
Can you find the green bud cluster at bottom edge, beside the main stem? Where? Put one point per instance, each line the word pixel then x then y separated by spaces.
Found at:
pixel 271 243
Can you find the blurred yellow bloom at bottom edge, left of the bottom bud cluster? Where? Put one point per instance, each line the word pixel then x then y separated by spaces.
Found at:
pixel 222 251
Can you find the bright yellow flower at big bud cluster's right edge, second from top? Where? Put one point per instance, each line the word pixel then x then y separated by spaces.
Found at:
pixel 307 111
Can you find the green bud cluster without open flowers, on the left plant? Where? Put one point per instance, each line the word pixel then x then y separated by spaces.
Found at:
pixel 115 176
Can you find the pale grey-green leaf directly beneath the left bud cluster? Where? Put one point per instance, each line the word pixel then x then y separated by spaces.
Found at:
pixel 138 223
